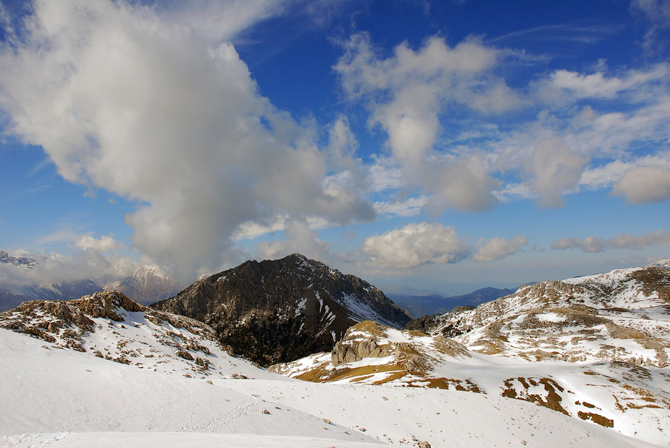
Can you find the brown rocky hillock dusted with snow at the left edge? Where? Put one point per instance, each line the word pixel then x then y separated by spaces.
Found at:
pixel 109 325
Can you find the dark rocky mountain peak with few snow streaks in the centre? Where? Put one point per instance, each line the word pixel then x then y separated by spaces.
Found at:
pixel 278 311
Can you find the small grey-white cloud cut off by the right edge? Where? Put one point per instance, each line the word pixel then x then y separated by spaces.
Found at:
pixel 644 184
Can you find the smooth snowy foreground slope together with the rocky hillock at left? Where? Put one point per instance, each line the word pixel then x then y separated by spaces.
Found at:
pixel 149 390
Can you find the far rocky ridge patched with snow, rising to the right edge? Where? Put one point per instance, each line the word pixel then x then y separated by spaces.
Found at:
pixel 621 316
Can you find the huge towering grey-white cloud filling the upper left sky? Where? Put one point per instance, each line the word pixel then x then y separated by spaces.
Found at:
pixel 123 100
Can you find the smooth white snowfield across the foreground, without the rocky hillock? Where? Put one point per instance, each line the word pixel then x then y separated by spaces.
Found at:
pixel 59 397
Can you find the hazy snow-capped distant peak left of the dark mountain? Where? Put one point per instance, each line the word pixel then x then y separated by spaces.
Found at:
pixel 146 284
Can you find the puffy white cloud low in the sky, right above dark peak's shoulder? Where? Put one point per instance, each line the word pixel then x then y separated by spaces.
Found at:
pixel 415 245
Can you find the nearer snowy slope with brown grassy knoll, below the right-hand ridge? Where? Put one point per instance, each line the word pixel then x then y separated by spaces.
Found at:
pixel 630 399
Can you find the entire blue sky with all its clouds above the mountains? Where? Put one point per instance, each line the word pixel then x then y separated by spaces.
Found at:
pixel 436 145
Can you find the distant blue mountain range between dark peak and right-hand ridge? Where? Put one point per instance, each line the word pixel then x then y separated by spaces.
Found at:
pixel 421 305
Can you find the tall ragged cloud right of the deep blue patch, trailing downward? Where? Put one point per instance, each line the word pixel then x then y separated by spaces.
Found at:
pixel 409 90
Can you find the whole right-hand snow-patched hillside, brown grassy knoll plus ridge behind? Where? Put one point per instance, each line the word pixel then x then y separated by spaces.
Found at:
pixel 594 348
